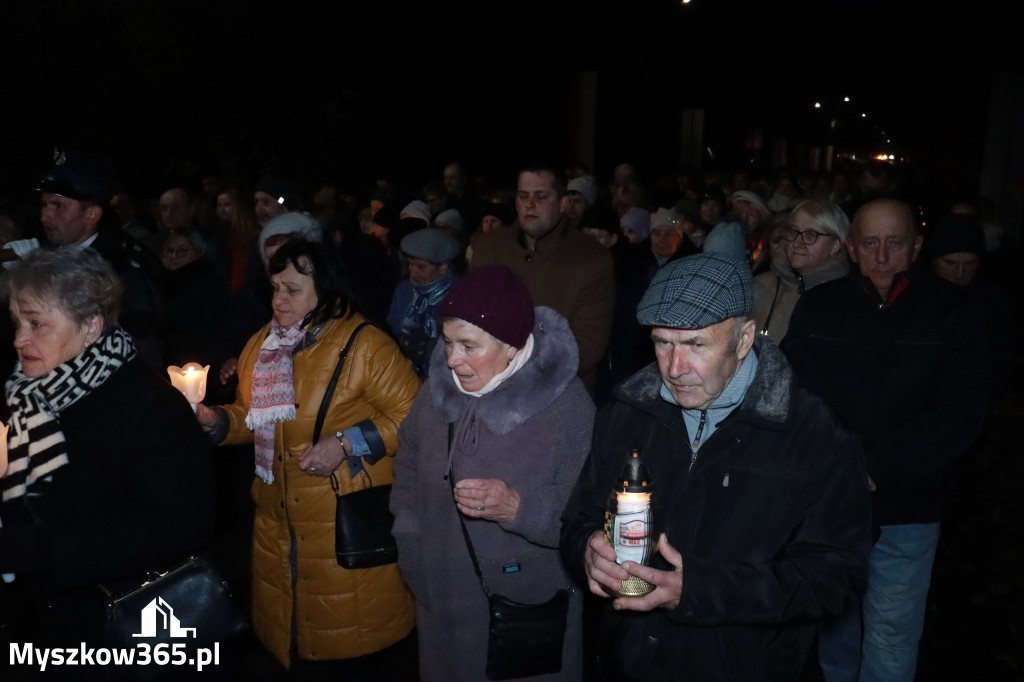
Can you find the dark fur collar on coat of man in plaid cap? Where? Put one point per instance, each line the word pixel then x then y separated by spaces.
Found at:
pixel 769 400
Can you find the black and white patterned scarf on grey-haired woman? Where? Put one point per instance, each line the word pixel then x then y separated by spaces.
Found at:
pixel 36 446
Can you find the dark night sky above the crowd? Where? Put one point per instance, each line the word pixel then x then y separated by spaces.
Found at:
pixel 402 88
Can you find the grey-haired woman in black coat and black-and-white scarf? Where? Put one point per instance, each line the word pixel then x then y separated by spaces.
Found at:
pixel 109 476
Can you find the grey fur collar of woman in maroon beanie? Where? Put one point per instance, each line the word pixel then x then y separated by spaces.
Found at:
pixel 545 376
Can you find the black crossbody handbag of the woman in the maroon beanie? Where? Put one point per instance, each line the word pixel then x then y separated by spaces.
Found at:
pixel 524 641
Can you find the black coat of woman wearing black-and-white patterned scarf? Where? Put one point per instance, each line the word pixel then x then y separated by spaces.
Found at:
pixel 136 496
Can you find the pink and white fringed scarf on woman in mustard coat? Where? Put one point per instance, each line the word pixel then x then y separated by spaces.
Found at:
pixel 273 396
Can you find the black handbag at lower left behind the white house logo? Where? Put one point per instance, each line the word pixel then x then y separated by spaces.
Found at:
pixel 191 604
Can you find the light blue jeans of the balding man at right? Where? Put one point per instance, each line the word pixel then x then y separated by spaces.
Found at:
pixel 877 641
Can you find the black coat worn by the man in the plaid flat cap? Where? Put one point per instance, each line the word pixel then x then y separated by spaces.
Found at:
pixel 773 522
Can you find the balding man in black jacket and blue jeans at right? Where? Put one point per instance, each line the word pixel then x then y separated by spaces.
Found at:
pixel 903 359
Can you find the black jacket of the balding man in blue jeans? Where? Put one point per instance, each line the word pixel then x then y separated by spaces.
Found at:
pixel 911 377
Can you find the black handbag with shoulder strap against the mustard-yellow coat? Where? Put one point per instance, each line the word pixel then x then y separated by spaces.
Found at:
pixel 363 522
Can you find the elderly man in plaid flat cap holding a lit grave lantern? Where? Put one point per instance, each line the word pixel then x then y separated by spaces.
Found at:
pixel 760 506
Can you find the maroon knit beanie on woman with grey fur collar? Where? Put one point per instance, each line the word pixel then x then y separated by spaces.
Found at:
pixel 495 300
